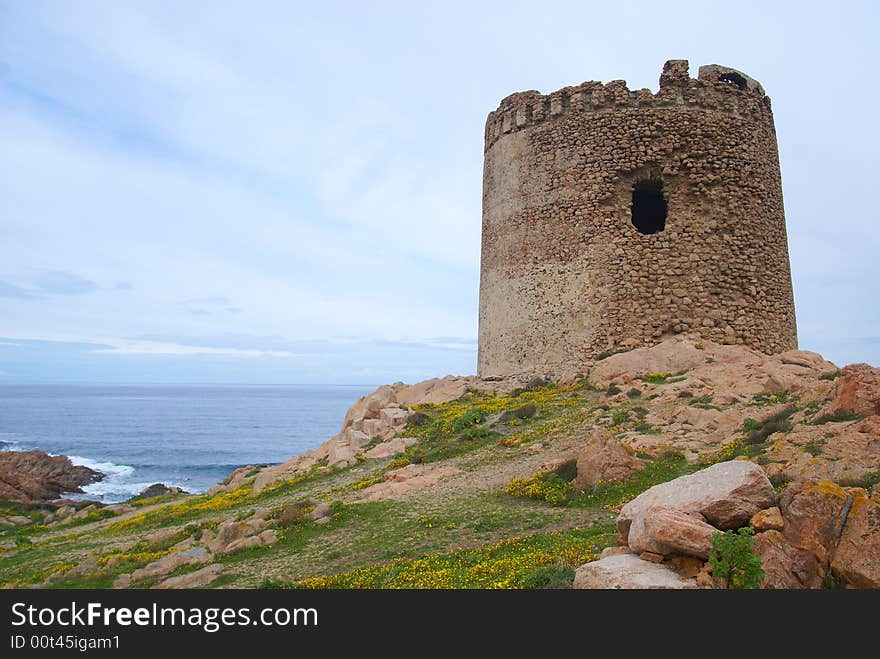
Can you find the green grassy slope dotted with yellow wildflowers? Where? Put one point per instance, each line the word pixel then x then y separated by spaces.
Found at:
pixel 446 536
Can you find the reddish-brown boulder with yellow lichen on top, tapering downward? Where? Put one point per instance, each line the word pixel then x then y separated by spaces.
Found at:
pixel 814 514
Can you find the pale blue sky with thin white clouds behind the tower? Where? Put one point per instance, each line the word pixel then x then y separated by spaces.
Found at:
pixel 290 192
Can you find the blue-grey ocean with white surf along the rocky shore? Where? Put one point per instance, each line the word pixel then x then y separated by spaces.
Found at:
pixel 189 436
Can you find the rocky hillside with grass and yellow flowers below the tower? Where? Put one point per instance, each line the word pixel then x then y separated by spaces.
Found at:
pixel 589 479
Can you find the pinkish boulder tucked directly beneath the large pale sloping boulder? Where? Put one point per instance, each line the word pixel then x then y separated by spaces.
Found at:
pixel 668 531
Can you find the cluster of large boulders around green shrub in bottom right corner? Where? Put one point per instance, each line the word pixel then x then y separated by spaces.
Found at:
pixel 813 533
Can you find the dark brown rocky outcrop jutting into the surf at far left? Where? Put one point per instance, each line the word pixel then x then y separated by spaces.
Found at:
pixel 35 476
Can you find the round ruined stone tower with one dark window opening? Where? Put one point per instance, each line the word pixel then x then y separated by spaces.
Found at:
pixel 615 218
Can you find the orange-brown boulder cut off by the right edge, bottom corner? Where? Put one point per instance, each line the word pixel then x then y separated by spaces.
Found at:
pixel 857 557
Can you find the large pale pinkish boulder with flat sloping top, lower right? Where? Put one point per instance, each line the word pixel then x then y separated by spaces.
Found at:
pixel 727 494
